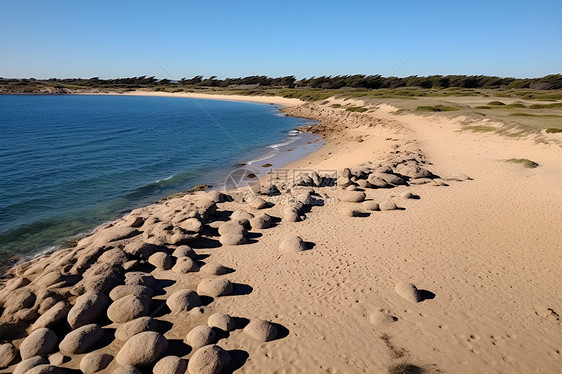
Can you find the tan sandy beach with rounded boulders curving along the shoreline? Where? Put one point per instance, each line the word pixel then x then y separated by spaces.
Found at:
pixel 463 277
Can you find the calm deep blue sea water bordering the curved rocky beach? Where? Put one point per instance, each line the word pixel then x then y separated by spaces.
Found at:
pixel 69 163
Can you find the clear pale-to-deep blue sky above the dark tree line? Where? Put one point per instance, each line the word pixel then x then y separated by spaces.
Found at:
pixel 78 38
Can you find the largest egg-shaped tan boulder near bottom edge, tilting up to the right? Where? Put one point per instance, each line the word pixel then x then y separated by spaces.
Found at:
pixel 142 349
